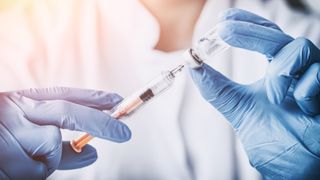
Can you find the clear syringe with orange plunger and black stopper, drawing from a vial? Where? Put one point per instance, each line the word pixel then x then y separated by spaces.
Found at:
pixel 133 102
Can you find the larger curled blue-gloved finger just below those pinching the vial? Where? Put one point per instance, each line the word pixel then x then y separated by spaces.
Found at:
pixel 288 65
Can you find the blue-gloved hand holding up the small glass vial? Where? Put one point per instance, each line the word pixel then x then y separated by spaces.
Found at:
pixel 276 118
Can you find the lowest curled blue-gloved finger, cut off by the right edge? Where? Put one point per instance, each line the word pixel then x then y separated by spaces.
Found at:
pixel 307 90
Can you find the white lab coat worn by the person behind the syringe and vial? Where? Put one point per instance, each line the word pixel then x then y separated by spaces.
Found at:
pixel 108 45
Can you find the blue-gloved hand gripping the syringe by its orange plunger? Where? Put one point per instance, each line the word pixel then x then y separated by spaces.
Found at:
pixel 30 138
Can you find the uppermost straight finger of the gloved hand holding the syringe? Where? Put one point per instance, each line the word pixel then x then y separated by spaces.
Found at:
pixel 96 99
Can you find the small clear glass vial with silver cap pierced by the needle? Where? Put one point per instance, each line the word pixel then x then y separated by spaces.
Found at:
pixel 205 48
